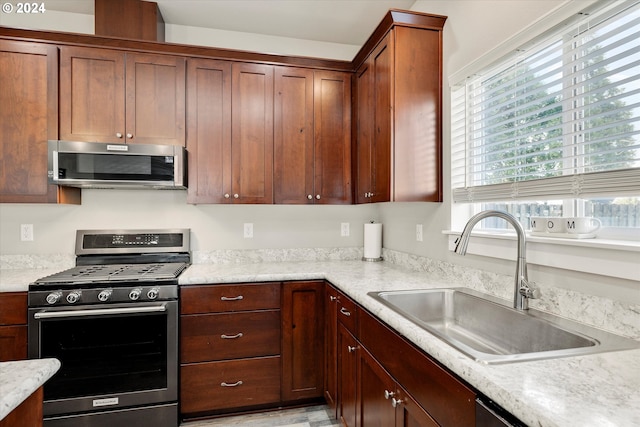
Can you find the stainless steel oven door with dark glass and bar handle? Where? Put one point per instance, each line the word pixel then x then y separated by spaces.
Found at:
pixel 114 356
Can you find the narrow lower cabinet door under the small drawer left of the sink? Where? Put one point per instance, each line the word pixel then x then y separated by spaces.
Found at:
pixel 347 377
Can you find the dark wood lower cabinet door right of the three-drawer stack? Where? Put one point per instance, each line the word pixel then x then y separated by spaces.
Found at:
pixel 302 340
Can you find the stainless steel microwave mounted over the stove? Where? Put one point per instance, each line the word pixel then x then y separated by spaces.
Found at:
pixel 103 165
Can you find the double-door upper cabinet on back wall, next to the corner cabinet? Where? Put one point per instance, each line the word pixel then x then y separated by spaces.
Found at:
pixel 312 136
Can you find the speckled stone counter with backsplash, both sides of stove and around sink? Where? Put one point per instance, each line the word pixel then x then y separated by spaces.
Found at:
pixel 587 391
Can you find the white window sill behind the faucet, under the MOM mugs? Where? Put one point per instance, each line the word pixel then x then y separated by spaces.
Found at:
pixel 615 258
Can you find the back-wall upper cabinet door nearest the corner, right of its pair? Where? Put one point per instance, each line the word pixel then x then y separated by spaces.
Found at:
pixel 332 138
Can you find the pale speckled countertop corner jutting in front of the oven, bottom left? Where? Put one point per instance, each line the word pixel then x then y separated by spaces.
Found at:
pixel 20 379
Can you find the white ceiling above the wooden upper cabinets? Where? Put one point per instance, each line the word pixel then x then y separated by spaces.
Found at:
pixel 337 21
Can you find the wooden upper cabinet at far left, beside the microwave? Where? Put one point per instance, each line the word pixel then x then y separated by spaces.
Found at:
pixel 29 111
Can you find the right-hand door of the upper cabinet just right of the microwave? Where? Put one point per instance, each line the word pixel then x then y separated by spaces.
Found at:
pixel 252 133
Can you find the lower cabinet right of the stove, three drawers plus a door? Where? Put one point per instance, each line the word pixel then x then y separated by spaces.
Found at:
pixel 250 346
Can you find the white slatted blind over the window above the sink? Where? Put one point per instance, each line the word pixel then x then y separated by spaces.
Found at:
pixel 559 118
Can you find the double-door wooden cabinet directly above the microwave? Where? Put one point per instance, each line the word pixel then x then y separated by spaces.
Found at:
pixel 117 97
